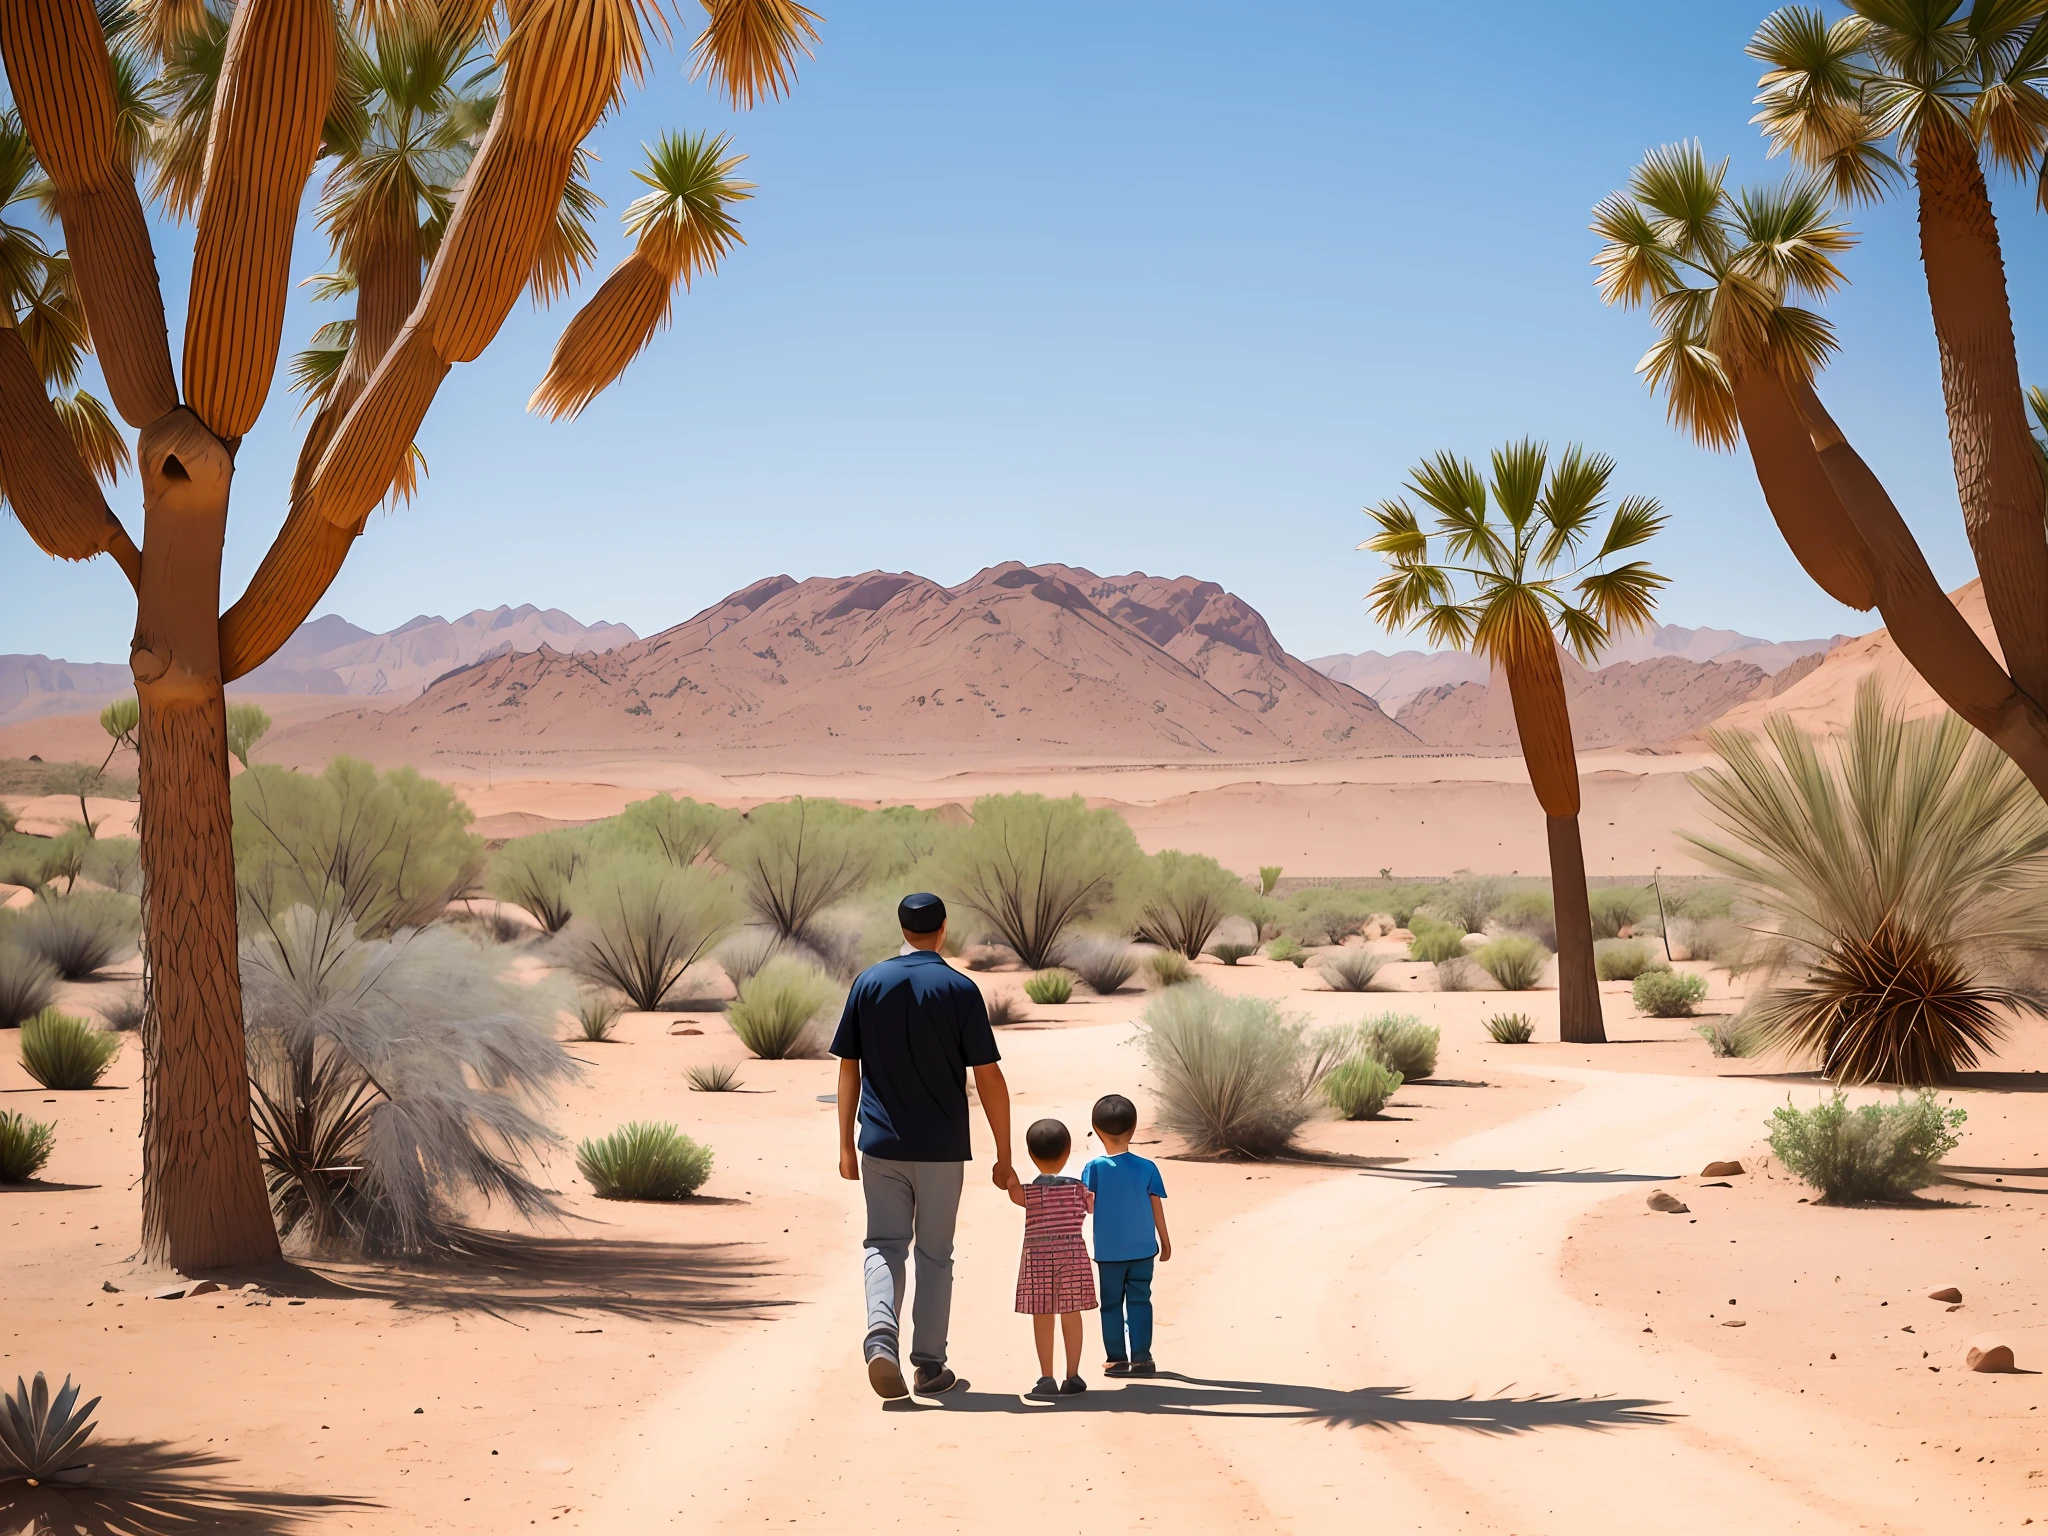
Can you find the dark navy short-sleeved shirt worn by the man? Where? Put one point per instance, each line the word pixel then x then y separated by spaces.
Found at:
pixel 916 1027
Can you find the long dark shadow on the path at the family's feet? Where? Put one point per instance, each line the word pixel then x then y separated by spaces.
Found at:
pixel 1367 1408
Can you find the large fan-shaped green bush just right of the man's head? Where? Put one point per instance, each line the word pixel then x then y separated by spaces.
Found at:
pixel 1031 869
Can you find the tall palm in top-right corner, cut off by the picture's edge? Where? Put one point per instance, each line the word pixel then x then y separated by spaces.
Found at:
pixel 1943 87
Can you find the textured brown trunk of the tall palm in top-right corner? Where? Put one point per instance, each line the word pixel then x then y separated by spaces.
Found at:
pixel 1988 421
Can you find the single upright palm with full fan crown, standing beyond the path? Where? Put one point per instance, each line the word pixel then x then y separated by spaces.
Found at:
pixel 1512 585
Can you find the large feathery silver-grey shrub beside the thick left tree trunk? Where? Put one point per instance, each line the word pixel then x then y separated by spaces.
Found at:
pixel 396 1082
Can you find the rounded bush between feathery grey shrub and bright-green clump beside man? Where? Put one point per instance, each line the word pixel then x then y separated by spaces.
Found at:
pixel 642 923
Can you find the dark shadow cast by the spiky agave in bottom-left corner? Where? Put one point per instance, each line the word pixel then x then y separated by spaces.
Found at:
pixel 148 1488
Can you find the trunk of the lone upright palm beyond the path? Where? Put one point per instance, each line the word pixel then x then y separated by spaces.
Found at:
pixel 1543 724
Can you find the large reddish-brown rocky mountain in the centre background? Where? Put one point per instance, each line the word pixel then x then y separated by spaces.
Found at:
pixel 1019 665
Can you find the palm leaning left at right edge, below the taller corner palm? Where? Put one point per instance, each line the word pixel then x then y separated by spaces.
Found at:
pixel 1738 359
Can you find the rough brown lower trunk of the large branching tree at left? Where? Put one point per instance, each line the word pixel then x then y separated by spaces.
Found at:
pixel 204 1193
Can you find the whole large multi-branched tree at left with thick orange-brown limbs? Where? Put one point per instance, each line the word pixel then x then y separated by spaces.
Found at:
pixel 247 101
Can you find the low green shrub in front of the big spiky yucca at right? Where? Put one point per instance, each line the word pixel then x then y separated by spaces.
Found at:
pixel 1875 1152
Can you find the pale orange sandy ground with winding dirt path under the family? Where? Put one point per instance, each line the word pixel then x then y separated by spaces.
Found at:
pixel 1459 1318
